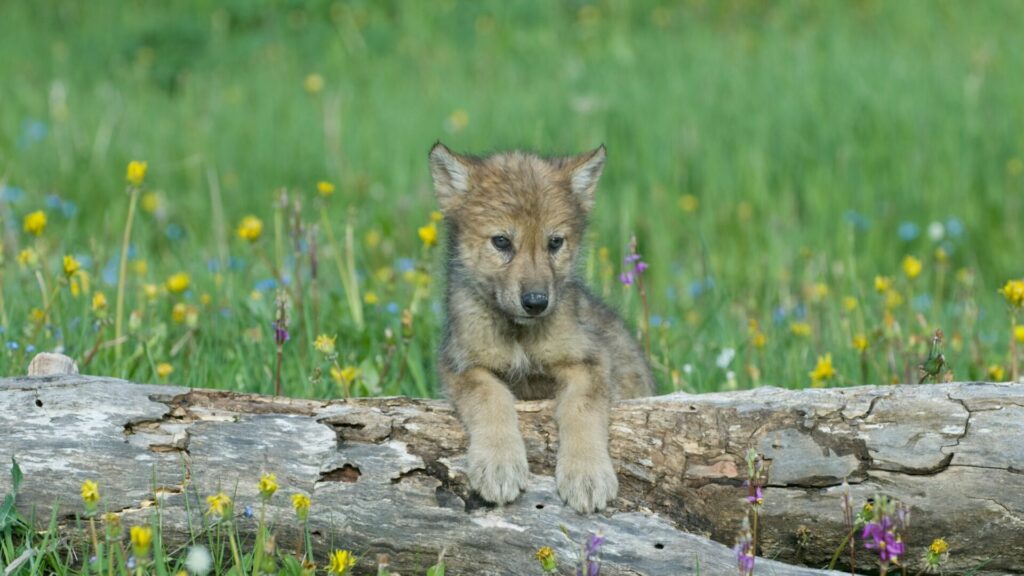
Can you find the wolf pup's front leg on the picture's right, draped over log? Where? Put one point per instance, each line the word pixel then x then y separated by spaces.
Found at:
pixel 585 475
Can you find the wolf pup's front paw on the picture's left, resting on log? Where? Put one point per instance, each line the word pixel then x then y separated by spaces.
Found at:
pixel 498 471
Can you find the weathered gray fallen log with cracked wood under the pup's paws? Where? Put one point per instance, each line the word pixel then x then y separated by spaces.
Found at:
pixel 387 475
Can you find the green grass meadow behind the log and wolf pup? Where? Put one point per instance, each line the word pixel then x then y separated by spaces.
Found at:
pixel 808 133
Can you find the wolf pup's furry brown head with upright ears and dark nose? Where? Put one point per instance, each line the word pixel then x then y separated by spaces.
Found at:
pixel 516 223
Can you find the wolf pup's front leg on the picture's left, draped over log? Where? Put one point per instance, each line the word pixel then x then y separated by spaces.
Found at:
pixel 498 469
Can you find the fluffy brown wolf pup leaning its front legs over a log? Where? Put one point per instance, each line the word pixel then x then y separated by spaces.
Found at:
pixel 523 325
